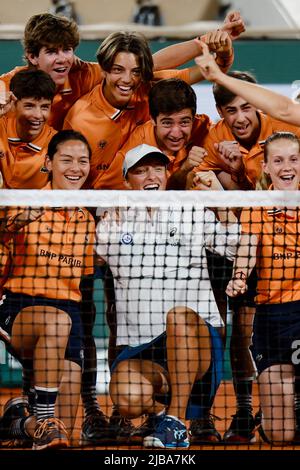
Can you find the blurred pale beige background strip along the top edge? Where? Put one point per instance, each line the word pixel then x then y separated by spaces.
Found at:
pixel 269 16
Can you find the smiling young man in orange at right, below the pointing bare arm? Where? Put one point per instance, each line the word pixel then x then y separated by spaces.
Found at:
pixel 235 144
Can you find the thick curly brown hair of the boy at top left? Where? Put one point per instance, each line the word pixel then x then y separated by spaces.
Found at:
pixel 45 29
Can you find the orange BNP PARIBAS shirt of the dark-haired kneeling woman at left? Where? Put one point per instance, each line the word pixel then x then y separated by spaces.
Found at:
pixel 52 253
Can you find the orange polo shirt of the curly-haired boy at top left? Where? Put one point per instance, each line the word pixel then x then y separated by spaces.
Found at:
pixel 82 78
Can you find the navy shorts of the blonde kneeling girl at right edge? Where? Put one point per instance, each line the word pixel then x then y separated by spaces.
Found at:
pixel 276 335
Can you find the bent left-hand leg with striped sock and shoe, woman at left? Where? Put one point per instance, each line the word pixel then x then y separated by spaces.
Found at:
pixel 42 333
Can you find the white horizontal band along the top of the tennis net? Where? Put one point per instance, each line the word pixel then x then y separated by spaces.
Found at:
pixel 92 198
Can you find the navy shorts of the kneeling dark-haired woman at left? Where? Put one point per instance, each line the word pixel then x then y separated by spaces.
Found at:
pixel 11 304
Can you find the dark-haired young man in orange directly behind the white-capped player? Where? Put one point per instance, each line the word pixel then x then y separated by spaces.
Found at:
pixel 174 128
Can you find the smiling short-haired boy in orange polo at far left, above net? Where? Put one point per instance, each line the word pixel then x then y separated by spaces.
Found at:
pixel 24 133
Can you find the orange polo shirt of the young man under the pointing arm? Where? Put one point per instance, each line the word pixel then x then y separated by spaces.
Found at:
pixel 252 158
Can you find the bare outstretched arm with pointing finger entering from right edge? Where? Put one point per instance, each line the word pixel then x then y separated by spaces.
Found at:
pixel 272 103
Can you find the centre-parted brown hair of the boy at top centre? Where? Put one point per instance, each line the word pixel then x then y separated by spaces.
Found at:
pixel 126 41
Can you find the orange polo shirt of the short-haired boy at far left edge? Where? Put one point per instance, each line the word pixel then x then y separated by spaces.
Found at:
pixel 22 163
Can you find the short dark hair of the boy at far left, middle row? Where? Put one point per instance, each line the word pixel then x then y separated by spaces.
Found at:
pixel 32 83
